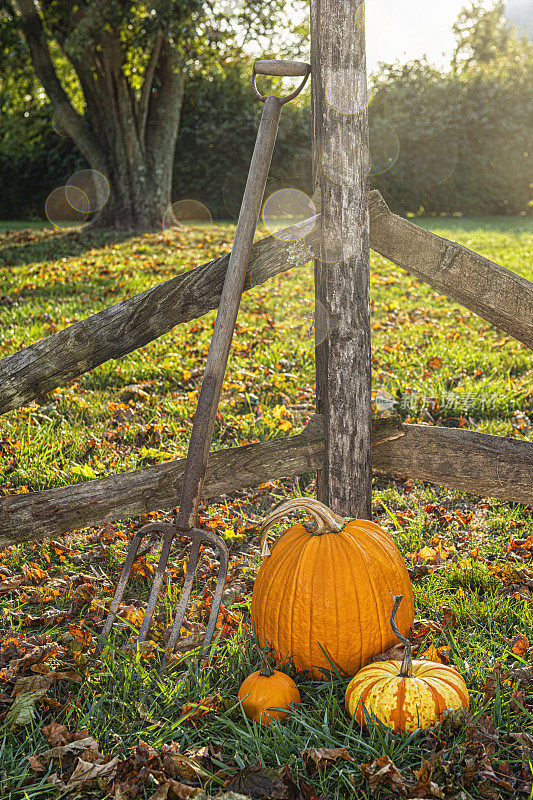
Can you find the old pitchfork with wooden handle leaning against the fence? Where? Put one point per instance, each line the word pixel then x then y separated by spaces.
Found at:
pixel 186 521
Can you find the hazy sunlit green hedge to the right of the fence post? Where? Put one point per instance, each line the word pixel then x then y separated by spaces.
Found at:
pixel 463 138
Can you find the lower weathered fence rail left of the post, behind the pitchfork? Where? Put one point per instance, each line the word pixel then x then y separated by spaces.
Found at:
pixel 28 517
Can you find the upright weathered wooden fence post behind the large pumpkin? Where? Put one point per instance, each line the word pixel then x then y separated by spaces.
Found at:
pixel 340 159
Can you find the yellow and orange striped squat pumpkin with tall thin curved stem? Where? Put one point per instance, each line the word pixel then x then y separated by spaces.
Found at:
pixel 406 698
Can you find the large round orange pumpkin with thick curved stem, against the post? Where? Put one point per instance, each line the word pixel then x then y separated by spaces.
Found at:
pixel 326 589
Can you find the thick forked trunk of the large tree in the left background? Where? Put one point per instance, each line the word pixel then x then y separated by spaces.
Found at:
pixel 130 139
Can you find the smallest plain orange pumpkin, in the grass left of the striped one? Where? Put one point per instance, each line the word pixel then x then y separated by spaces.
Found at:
pixel 266 692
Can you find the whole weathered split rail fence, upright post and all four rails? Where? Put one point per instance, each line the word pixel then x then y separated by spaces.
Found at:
pixel 340 442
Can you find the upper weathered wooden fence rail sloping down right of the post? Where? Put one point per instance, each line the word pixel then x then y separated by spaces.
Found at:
pixel 500 296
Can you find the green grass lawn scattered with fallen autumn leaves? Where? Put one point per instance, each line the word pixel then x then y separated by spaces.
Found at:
pixel 432 361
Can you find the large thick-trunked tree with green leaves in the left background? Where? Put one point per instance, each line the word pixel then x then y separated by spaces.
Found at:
pixel 114 74
